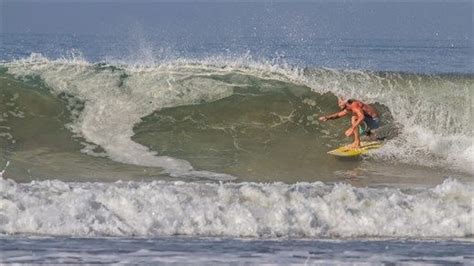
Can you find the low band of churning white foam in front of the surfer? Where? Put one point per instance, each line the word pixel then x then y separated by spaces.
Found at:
pixel 237 210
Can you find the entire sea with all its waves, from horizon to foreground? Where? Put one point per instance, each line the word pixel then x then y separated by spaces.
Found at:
pixel 141 147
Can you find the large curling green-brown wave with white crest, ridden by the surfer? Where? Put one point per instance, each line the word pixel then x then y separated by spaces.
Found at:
pixel 233 112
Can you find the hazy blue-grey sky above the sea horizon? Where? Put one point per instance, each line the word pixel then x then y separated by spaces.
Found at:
pixel 321 19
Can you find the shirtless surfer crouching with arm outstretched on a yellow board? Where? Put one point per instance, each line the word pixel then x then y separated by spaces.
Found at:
pixel 364 117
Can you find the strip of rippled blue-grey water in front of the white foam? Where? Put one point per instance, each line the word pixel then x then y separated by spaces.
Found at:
pixel 198 250
